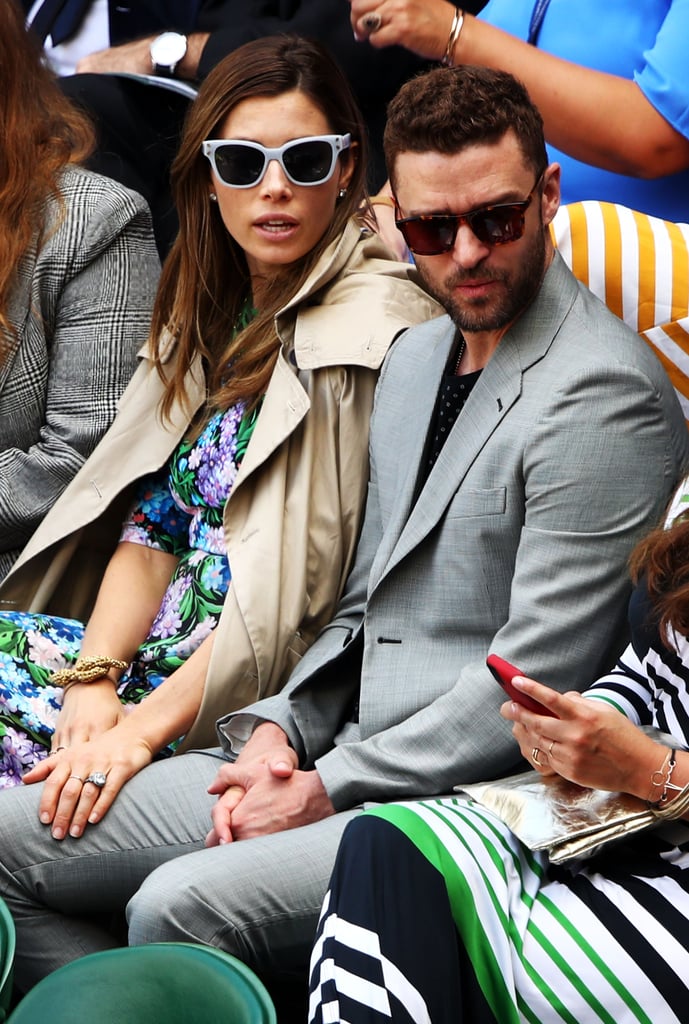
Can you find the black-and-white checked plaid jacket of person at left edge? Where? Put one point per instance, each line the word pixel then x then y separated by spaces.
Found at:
pixel 79 313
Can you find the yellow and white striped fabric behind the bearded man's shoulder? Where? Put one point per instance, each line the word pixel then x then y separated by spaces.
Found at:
pixel 639 267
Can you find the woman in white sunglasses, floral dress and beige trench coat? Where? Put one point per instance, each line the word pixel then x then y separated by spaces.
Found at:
pixel 238 461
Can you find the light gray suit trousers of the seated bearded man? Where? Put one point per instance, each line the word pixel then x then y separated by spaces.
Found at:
pixel 260 900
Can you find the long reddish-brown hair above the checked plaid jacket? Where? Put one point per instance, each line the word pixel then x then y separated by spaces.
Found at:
pixel 41 133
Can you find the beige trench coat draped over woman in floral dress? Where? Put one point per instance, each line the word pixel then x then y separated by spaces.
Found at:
pixel 292 521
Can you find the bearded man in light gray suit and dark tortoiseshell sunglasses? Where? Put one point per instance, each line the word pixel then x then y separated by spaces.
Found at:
pixel 520 447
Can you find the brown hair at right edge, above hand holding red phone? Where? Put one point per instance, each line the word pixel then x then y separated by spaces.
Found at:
pixel 663 559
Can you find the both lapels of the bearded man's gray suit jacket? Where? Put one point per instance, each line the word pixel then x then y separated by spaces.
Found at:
pixel 498 390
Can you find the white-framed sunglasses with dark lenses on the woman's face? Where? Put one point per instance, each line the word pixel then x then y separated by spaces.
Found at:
pixel 309 161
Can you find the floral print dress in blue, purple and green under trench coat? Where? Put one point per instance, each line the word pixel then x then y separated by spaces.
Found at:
pixel 179 510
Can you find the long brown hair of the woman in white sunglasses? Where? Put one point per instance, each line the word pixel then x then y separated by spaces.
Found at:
pixel 206 282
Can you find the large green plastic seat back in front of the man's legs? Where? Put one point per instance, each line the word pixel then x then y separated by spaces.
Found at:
pixel 171 983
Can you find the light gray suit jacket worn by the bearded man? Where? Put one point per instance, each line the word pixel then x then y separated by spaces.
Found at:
pixel 565 455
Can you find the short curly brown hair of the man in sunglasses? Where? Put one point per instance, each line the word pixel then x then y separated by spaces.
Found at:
pixel 448 109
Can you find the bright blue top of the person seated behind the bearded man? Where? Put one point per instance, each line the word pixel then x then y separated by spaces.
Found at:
pixel 644 40
